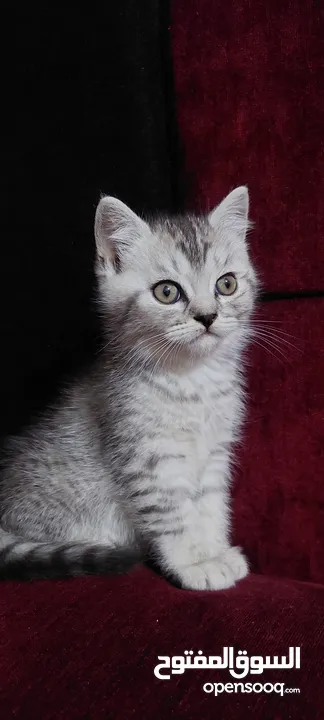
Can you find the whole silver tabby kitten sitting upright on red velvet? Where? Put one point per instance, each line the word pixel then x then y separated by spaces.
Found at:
pixel 135 459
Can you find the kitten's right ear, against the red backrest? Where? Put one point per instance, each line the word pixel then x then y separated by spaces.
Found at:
pixel 232 215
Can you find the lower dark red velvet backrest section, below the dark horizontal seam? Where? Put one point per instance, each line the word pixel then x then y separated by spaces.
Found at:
pixel 279 489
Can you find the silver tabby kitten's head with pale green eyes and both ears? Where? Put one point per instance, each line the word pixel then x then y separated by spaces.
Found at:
pixel 175 290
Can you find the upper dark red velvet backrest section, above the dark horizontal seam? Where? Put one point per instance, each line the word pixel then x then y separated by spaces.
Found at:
pixel 249 85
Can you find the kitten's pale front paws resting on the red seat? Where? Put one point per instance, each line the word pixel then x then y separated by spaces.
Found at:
pixel 217 574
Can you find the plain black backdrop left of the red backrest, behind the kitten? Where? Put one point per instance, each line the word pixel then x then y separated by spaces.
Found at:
pixel 89 109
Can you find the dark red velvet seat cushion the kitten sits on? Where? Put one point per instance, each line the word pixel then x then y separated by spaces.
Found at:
pixel 87 648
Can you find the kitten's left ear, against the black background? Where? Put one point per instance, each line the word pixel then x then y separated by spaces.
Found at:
pixel 117 229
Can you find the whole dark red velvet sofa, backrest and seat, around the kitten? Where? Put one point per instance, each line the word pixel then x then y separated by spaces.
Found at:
pixel 250 107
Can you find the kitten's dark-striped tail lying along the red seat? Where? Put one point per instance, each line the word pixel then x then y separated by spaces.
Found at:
pixel 27 560
